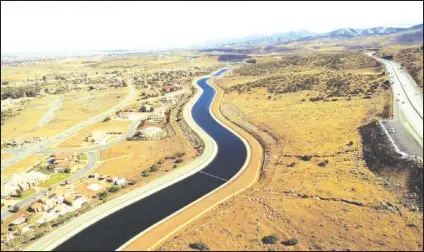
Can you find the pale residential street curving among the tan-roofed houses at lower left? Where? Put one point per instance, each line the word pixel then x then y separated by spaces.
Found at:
pixel 92 157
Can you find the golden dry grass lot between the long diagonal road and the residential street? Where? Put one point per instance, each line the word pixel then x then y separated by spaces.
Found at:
pixel 78 140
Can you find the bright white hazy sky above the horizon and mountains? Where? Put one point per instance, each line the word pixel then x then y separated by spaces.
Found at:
pixel 47 26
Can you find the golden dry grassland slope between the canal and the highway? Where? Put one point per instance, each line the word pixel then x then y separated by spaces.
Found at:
pixel 331 202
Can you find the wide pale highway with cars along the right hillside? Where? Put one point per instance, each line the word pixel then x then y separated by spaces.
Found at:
pixel 407 108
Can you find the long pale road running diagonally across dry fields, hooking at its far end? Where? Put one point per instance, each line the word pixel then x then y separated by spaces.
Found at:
pixel 37 147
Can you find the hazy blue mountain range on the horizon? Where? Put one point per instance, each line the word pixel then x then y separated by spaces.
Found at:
pixel 305 35
